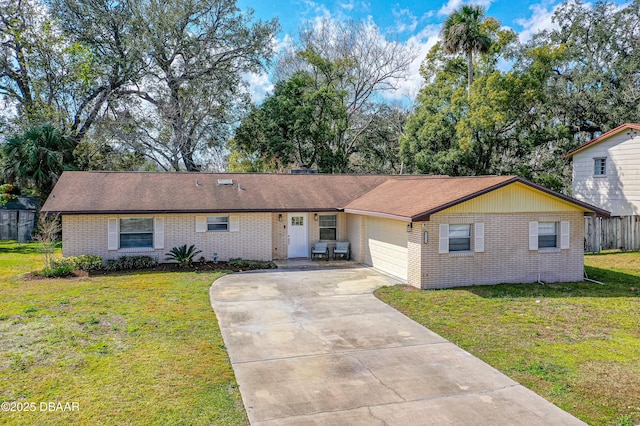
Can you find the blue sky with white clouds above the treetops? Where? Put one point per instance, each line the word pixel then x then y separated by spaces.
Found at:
pixel 409 21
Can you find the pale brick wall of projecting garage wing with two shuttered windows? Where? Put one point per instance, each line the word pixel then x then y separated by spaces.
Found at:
pixel 506 259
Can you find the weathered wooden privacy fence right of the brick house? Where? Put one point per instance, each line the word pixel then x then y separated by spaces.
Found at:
pixel 618 232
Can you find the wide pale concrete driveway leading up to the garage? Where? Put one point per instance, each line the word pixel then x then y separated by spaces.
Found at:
pixel 316 347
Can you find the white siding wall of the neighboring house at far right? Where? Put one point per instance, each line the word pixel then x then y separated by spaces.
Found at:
pixel 619 190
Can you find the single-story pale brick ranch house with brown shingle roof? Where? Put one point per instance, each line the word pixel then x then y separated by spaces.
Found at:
pixel 432 232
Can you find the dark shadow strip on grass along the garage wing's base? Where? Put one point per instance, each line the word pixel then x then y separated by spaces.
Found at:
pixel 616 284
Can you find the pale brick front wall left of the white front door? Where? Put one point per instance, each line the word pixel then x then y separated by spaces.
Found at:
pixel 87 234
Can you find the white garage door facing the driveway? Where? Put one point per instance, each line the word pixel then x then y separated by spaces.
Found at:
pixel 386 246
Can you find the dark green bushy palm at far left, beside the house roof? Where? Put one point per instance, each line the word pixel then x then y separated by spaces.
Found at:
pixel 38 157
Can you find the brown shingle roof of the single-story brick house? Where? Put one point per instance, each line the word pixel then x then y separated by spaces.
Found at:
pixel 412 197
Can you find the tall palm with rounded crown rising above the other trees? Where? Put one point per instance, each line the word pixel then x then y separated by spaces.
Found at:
pixel 462 32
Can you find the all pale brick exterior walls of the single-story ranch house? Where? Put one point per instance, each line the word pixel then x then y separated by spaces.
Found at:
pixel 262 236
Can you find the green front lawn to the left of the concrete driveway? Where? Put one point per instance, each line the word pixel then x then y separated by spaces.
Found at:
pixel 134 348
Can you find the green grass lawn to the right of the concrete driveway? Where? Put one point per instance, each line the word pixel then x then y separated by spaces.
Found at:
pixel 576 344
